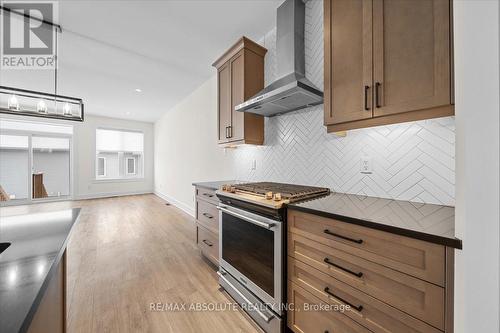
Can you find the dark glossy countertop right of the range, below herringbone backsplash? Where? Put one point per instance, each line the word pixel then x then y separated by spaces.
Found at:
pixel 431 223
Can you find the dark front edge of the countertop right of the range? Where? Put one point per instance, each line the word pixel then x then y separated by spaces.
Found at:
pixel 446 241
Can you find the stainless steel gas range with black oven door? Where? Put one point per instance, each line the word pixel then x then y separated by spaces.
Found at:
pixel 252 243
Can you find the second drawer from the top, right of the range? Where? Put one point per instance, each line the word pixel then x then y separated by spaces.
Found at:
pixel 420 299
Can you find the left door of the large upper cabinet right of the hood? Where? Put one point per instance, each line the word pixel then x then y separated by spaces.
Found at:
pixel 348 60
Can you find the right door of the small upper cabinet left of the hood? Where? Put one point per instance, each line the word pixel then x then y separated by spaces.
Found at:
pixel 237 64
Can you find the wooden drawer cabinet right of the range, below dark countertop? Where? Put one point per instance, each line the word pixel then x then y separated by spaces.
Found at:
pixel 383 295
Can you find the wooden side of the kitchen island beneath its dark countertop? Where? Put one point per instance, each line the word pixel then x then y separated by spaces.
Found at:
pixel 51 313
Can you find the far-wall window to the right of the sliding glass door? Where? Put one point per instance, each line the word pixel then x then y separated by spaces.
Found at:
pixel 119 154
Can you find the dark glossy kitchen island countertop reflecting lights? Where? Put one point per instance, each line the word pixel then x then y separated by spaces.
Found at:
pixel 26 267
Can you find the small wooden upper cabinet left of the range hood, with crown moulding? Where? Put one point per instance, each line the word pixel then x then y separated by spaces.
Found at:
pixel 240 76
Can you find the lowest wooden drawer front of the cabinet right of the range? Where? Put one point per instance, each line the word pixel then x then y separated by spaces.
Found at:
pixel 304 320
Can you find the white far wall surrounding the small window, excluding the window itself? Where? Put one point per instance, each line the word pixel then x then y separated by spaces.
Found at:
pixel 84 163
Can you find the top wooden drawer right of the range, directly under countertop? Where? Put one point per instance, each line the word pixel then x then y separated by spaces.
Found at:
pixel 411 256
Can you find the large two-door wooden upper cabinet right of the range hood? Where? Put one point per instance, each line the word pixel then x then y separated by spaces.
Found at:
pixel 386 61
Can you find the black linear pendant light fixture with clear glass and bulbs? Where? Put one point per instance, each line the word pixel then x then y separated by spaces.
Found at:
pixel 40 104
